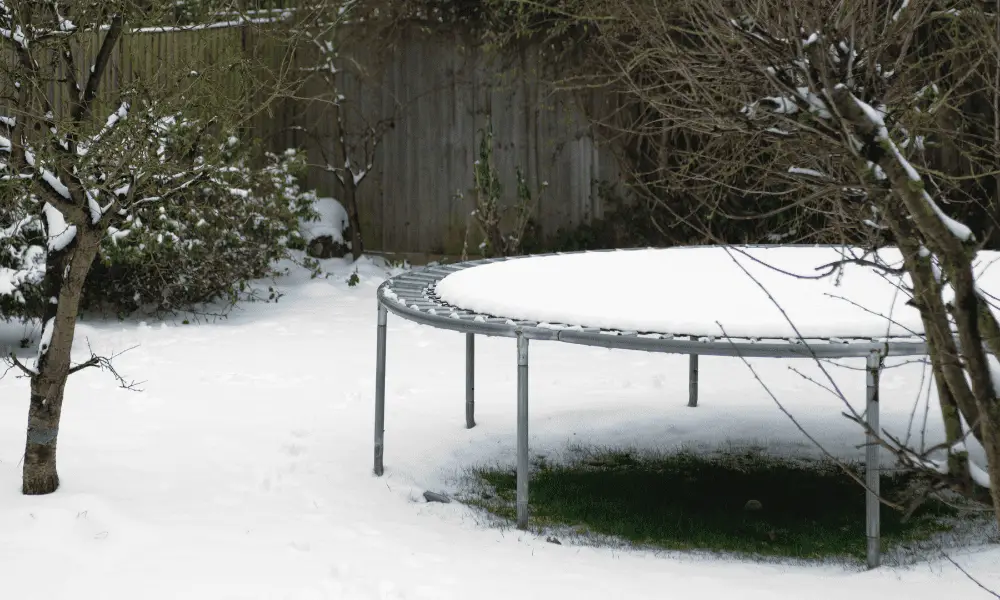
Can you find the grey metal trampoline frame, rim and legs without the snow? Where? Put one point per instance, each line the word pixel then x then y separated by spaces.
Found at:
pixel 413 297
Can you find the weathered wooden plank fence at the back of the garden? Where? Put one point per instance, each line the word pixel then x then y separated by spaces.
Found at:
pixel 439 94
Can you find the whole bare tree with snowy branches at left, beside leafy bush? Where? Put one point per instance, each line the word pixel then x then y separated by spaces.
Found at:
pixel 75 168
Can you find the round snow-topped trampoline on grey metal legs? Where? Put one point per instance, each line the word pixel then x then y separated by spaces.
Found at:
pixel 492 297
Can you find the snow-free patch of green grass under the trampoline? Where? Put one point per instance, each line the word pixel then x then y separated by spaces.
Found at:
pixel 744 503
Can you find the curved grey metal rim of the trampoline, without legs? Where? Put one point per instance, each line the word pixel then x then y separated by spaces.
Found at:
pixel 412 296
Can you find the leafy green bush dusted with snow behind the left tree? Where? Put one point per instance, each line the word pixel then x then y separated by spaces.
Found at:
pixel 207 242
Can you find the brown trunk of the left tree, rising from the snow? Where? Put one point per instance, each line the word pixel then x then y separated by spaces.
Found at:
pixel 47 386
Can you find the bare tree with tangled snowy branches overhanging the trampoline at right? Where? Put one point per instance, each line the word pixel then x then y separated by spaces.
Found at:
pixel 876 120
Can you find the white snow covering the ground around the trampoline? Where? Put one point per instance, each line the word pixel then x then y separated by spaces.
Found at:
pixel 243 470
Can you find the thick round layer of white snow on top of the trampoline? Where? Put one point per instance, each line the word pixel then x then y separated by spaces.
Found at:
pixel 706 291
